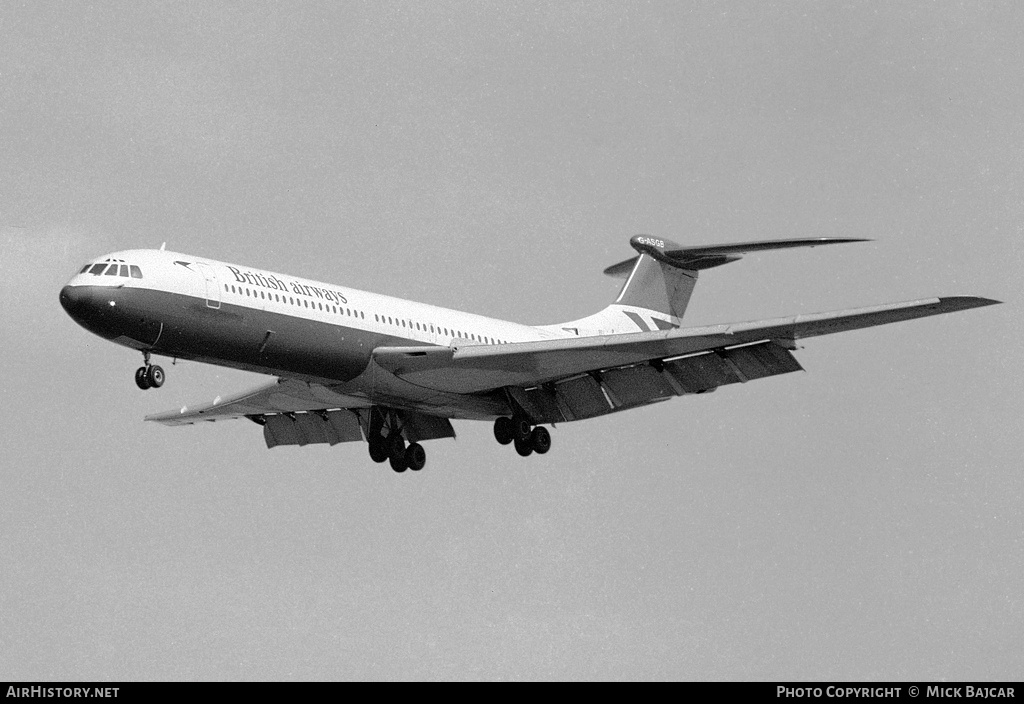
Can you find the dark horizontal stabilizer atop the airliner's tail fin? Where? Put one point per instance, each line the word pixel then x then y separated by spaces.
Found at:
pixel 706 257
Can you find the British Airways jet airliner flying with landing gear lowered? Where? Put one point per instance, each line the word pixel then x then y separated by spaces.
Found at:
pixel 353 366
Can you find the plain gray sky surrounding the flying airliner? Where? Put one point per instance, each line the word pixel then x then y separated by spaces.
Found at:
pixel 860 521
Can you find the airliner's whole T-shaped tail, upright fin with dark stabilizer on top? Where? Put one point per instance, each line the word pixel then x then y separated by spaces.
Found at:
pixel 660 282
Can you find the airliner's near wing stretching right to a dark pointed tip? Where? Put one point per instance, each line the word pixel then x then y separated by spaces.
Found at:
pixel 482 368
